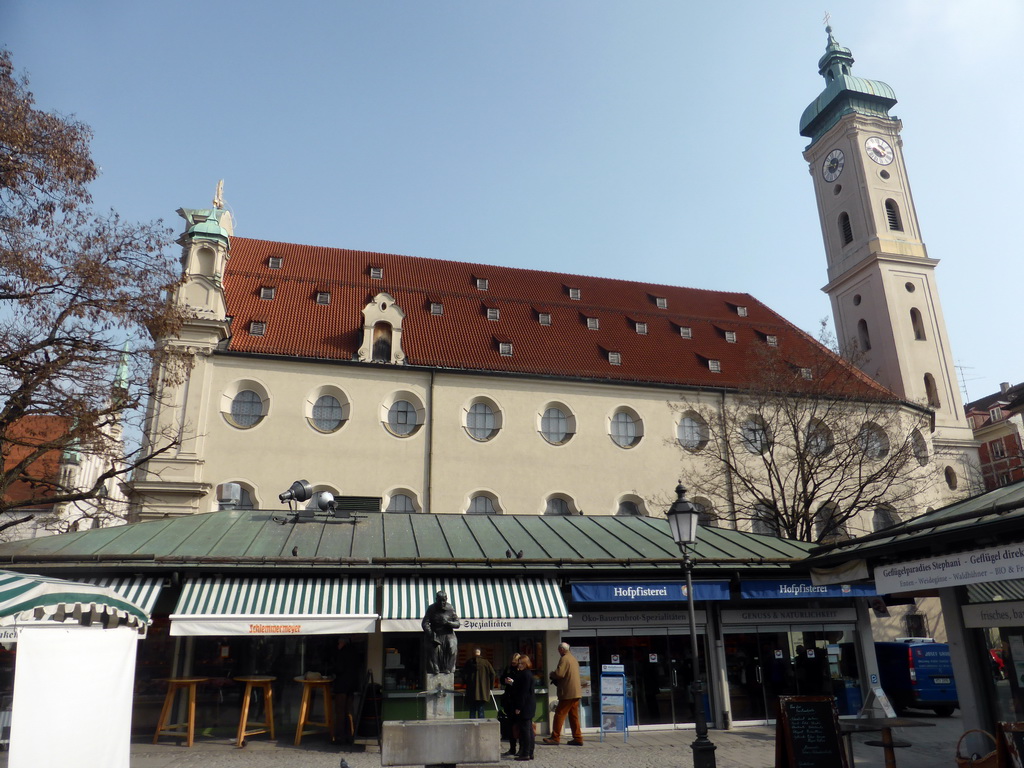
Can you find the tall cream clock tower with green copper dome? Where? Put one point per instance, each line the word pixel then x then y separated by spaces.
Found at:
pixel 881 280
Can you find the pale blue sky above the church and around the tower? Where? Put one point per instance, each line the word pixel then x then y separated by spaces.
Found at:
pixel 653 140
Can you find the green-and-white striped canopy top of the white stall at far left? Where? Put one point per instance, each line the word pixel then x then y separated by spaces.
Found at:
pixel 26 599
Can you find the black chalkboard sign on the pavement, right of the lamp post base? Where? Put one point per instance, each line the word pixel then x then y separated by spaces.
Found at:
pixel 807 734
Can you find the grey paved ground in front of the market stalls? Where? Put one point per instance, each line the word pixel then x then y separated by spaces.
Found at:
pixel 742 748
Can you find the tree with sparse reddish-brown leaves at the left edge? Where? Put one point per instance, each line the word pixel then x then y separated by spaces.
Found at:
pixel 75 287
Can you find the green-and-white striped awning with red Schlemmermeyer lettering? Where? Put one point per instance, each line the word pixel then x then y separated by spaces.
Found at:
pixel 267 606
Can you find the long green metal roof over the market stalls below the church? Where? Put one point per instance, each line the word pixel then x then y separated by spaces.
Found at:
pixel 252 540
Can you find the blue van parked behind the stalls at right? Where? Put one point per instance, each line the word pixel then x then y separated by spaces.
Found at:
pixel 917 674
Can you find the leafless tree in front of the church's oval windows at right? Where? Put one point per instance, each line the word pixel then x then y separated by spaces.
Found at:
pixel 808 450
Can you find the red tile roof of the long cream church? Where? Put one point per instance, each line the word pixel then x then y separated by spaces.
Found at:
pixel 463 338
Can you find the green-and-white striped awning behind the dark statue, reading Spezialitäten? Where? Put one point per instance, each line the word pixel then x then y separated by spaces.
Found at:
pixel 496 604
